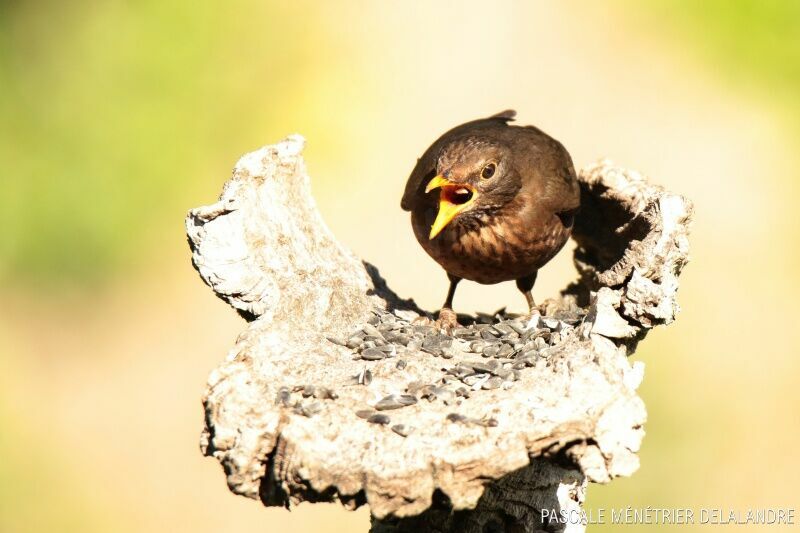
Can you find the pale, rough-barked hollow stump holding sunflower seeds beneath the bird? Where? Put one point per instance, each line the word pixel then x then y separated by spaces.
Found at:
pixel 335 391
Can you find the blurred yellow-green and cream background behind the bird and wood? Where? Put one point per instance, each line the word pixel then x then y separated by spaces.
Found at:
pixel 116 117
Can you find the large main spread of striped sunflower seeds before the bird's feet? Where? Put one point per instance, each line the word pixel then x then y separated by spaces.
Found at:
pixel 489 353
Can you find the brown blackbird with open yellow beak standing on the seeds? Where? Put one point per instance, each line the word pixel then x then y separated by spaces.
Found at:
pixel 492 202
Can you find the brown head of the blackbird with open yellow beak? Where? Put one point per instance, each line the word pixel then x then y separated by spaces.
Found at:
pixel 473 176
